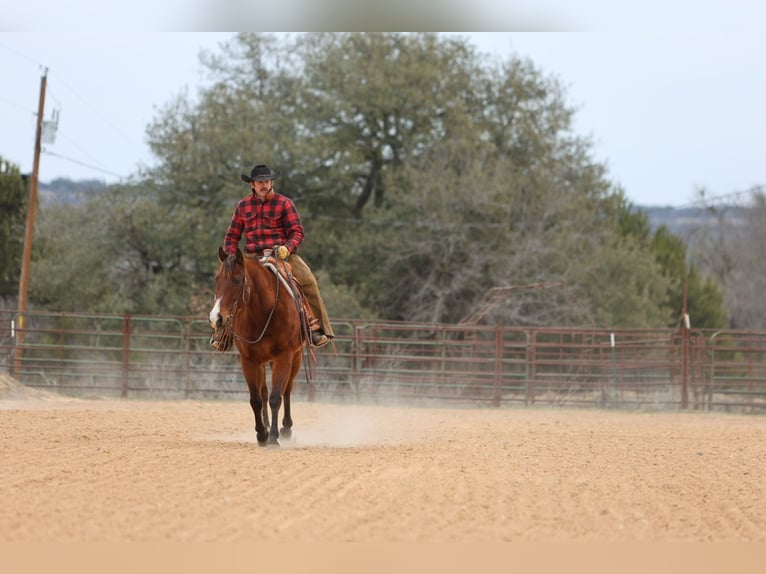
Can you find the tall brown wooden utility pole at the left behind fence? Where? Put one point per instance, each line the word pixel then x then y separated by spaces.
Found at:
pixel 29 229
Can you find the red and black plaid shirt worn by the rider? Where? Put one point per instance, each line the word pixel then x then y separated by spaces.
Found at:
pixel 274 221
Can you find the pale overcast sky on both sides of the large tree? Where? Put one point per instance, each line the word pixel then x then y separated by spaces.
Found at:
pixel 669 111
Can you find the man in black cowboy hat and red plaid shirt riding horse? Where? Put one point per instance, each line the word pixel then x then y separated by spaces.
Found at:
pixel 270 220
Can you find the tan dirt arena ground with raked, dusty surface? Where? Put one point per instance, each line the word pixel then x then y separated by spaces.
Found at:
pixel 113 471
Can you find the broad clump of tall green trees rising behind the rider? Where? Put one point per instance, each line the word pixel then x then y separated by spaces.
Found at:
pixel 426 174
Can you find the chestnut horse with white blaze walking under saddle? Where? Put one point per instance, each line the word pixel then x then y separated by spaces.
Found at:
pixel 255 311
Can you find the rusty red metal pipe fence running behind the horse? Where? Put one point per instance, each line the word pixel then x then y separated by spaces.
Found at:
pixel 130 355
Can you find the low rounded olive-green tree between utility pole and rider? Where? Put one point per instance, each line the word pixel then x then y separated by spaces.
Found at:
pixel 137 256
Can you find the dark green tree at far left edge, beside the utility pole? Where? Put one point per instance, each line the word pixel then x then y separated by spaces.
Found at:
pixel 13 203
